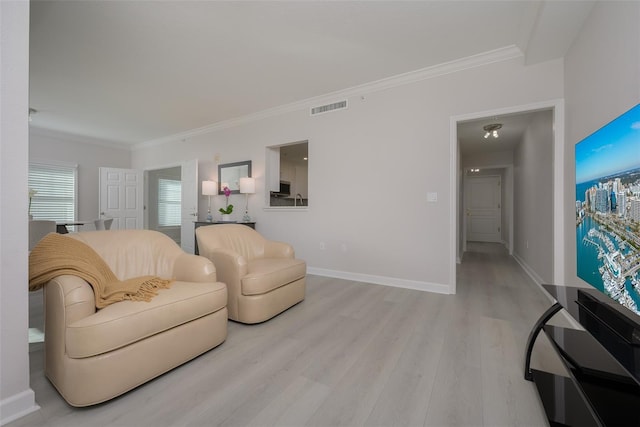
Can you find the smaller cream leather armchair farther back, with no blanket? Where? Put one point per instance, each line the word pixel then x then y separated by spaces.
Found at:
pixel 263 277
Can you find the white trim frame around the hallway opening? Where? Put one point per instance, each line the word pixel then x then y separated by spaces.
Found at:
pixel 558 111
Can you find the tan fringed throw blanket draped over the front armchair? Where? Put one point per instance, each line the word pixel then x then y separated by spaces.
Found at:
pixel 57 254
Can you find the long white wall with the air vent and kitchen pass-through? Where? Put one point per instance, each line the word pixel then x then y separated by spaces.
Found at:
pixel 370 169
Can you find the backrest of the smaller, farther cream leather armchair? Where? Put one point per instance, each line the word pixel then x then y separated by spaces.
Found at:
pixel 236 237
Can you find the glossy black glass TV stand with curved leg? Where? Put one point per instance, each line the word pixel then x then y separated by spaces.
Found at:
pixel 603 386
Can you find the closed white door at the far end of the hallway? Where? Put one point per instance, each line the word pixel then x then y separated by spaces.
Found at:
pixel 484 208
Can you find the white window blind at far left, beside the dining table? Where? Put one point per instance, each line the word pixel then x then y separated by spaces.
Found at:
pixel 53 191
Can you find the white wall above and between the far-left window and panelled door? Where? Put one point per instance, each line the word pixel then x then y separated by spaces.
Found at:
pixel 88 153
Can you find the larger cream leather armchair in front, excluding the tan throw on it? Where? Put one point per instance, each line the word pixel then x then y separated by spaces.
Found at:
pixel 94 355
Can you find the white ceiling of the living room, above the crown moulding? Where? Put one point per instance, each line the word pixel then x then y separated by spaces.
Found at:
pixel 138 71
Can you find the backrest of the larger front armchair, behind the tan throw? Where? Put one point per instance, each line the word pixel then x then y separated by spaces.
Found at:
pixel 132 253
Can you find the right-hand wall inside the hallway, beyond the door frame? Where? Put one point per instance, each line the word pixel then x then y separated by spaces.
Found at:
pixel 533 197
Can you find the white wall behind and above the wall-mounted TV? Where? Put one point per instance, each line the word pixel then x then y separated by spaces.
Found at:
pixel 602 80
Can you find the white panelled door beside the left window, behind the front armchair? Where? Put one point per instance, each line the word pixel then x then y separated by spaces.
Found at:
pixel 120 196
